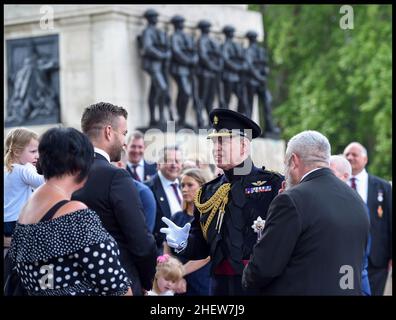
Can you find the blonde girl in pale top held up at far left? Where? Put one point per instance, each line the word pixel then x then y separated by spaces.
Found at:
pixel 20 175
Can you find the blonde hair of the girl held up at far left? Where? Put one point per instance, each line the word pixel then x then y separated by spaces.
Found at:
pixel 17 139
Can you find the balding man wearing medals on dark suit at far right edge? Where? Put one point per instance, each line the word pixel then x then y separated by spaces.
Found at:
pixel 377 194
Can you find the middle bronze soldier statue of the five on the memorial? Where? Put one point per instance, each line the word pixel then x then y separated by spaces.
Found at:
pixel 209 67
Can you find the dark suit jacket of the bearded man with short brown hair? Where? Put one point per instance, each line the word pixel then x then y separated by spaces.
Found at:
pixel 111 192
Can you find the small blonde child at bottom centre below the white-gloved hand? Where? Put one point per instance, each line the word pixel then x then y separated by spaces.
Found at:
pixel 168 276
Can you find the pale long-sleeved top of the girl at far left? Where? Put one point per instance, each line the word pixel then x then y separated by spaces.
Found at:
pixel 18 187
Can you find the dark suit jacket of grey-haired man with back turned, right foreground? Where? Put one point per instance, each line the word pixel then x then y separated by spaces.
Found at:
pixel 312 231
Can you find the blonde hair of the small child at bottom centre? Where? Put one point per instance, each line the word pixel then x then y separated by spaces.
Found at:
pixel 169 268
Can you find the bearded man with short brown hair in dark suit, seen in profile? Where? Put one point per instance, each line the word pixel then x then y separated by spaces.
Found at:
pixel 112 194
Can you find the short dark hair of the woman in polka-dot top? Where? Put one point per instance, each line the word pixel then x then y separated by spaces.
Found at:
pixel 64 151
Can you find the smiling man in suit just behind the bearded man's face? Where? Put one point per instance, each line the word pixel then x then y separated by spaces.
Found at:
pixel 140 169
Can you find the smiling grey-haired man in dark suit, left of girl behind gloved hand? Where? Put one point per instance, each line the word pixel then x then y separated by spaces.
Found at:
pixel 166 189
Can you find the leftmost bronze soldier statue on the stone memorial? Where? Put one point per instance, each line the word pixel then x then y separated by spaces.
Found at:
pixel 155 51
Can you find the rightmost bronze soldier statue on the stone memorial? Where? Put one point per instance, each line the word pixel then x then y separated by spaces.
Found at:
pixel 257 71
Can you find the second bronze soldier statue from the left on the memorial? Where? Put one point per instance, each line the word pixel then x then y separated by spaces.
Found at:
pixel 184 58
